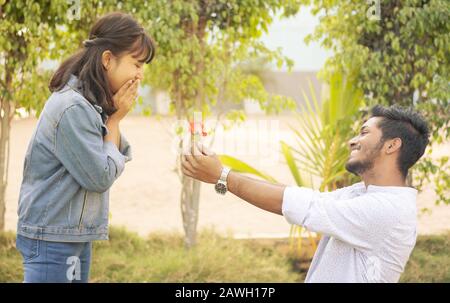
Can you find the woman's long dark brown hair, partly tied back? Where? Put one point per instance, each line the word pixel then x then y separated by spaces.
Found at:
pixel 116 32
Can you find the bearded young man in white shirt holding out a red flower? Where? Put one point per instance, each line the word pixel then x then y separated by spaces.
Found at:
pixel 369 228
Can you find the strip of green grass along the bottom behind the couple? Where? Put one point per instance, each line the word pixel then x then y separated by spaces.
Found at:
pixel 161 257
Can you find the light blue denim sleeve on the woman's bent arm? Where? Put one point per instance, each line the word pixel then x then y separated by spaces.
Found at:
pixel 93 163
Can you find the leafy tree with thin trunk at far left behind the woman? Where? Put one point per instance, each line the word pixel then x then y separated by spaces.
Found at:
pixel 26 28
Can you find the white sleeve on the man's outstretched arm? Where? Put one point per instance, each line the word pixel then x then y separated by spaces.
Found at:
pixel 359 221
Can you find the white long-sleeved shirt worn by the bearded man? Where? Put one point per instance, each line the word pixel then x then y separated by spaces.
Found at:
pixel 367 234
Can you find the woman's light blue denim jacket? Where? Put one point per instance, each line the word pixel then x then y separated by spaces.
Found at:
pixel 68 171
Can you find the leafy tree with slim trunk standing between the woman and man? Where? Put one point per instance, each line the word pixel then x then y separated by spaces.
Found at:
pixel 200 46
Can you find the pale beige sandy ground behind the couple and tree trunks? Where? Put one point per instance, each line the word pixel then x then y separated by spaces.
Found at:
pixel 146 197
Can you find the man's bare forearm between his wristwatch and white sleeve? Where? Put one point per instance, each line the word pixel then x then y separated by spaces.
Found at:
pixel 262 194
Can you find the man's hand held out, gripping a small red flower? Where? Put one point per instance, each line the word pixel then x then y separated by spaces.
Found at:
pixel 201 164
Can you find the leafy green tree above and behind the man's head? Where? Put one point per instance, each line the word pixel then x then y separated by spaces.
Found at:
pixel 401 57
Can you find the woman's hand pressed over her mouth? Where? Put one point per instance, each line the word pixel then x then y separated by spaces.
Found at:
pixel 124 99
